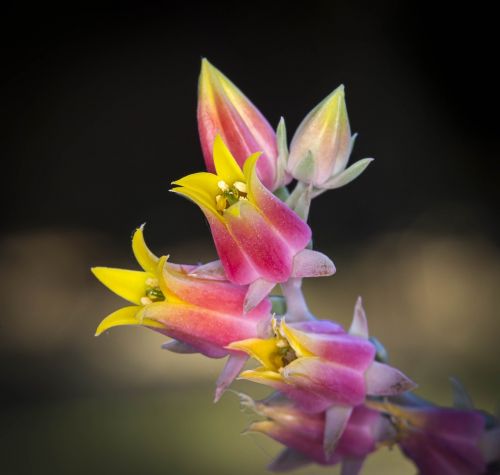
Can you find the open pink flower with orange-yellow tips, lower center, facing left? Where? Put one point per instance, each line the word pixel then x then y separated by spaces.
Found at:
pixel 321 367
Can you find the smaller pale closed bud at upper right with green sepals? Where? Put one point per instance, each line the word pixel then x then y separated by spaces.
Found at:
pixel 321 146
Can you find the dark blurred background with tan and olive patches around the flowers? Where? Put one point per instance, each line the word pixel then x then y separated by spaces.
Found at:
pixel 98 116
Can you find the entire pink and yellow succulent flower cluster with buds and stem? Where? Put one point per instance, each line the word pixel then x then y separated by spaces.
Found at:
pixel 335 399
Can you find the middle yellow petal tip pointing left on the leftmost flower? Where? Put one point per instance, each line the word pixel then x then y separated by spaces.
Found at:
pixel 129 284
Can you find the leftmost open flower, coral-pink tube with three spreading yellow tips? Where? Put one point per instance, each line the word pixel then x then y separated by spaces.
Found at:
pixel 201 315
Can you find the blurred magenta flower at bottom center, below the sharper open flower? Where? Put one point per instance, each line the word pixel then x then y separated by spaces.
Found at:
pixel 302 434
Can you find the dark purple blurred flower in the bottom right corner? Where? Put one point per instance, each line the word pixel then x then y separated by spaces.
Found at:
pixel 440 441
